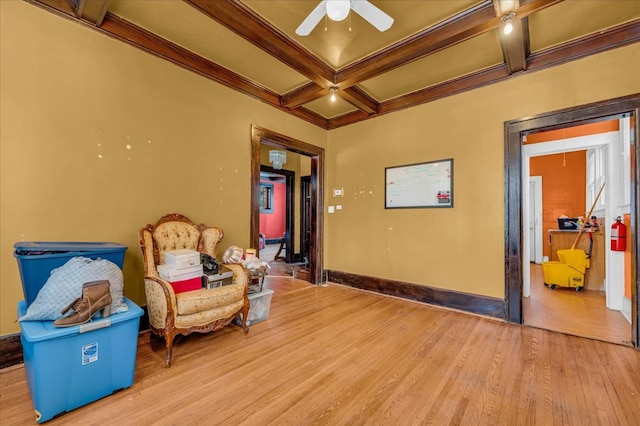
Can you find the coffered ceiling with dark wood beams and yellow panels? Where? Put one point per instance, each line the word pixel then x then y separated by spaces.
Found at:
pixel 435 48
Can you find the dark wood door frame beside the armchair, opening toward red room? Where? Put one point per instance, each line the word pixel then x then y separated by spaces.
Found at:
pixel 260 136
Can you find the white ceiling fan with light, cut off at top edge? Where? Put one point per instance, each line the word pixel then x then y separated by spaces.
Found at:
pixel 337 10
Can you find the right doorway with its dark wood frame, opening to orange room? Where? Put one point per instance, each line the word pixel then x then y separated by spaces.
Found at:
pixel 547 154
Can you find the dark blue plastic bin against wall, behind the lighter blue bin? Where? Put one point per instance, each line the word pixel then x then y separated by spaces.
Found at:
pixel 37 259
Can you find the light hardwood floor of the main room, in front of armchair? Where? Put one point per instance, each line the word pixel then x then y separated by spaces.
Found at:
pixel 340 356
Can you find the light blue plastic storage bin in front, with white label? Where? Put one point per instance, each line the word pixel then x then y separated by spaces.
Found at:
pixel 72 366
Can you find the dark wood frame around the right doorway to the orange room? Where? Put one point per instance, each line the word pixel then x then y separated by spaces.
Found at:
pixel 513 215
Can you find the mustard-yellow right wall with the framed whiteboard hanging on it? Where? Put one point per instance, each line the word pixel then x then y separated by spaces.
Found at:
pixel 461 248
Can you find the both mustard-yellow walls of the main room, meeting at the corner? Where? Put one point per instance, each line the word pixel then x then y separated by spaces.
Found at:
pixel 70 94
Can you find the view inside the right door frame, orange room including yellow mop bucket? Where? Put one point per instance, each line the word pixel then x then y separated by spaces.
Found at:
pixel 563 187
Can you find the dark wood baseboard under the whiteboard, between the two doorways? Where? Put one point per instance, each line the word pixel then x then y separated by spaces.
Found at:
pixel 473 303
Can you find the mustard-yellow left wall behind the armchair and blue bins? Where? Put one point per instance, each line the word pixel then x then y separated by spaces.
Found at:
pixel 70 95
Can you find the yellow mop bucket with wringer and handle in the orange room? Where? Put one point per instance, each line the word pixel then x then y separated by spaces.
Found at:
pixel 570 269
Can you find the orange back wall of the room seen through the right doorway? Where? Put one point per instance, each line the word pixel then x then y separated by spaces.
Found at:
pixel 563 187
